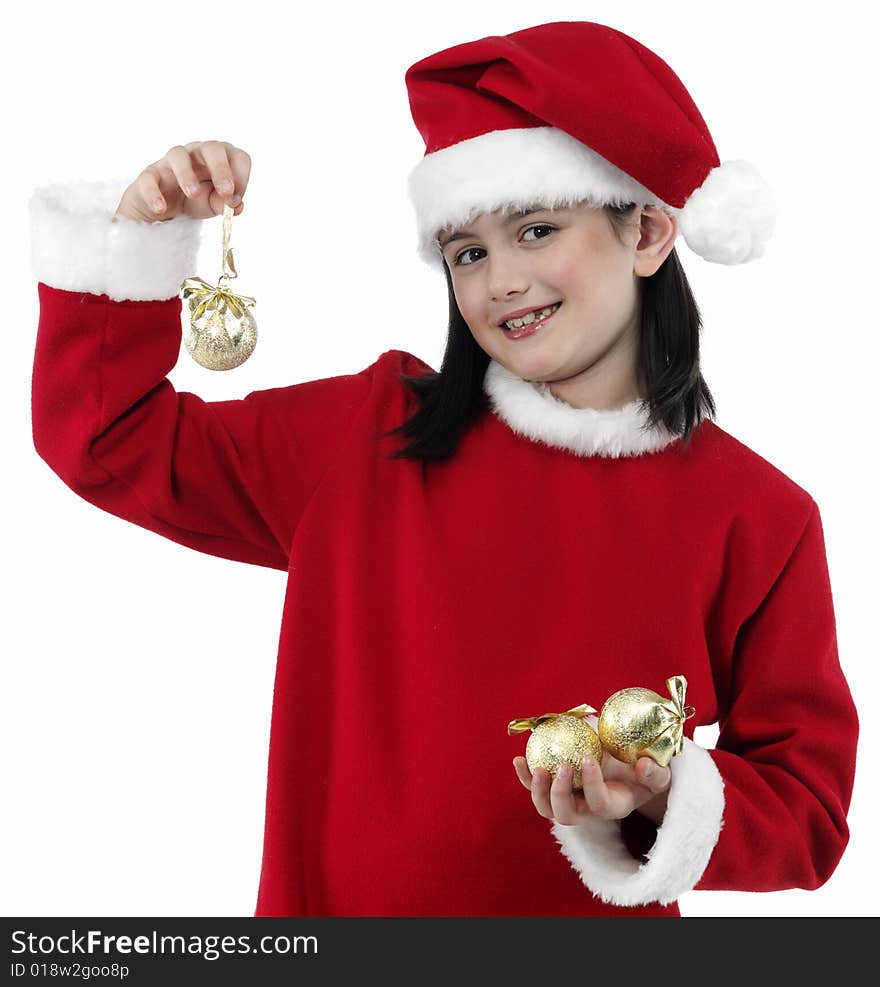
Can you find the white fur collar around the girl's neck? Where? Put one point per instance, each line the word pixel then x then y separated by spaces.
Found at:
pixel 531 410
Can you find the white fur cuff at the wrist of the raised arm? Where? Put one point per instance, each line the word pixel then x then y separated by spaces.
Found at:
pixel 77 245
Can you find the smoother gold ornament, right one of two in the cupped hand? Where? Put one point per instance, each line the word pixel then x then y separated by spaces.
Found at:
pixel 638 723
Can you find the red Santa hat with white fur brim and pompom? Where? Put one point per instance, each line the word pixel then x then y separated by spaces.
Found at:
pixel 567 112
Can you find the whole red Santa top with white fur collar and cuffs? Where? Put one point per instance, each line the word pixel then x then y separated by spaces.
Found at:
pixel 554 560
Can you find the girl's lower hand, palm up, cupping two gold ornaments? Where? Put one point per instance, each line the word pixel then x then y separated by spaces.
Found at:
pixel 610 792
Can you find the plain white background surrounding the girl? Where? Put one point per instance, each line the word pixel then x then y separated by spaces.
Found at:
pixel 137 674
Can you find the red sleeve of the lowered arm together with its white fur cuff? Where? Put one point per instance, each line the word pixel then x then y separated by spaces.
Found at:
pixel 765 810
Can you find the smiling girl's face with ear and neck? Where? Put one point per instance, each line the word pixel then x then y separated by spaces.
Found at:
pixel 508 261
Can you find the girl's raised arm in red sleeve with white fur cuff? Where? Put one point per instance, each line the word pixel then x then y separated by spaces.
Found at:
pixel 229 478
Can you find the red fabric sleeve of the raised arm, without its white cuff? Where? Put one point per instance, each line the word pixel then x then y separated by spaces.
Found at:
pixel 229 478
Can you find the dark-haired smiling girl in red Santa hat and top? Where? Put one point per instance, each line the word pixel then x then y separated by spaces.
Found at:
pixel 550 518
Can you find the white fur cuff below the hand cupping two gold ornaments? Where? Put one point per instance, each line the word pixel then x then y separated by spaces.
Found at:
pixel 684 844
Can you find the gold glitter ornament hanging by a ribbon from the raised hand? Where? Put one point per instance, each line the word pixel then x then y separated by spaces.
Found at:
pixel 222 333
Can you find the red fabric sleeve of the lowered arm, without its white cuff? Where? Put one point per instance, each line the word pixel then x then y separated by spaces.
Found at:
pixel 787 743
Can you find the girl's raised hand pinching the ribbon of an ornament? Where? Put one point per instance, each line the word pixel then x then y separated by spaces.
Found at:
pixel 192 180
